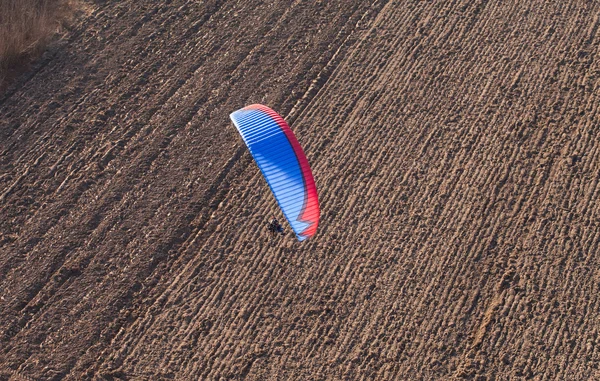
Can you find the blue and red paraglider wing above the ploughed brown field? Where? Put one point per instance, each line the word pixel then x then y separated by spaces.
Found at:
pixel 283 164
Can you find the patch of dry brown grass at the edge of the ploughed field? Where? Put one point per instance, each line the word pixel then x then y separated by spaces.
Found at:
pixel 26 26
